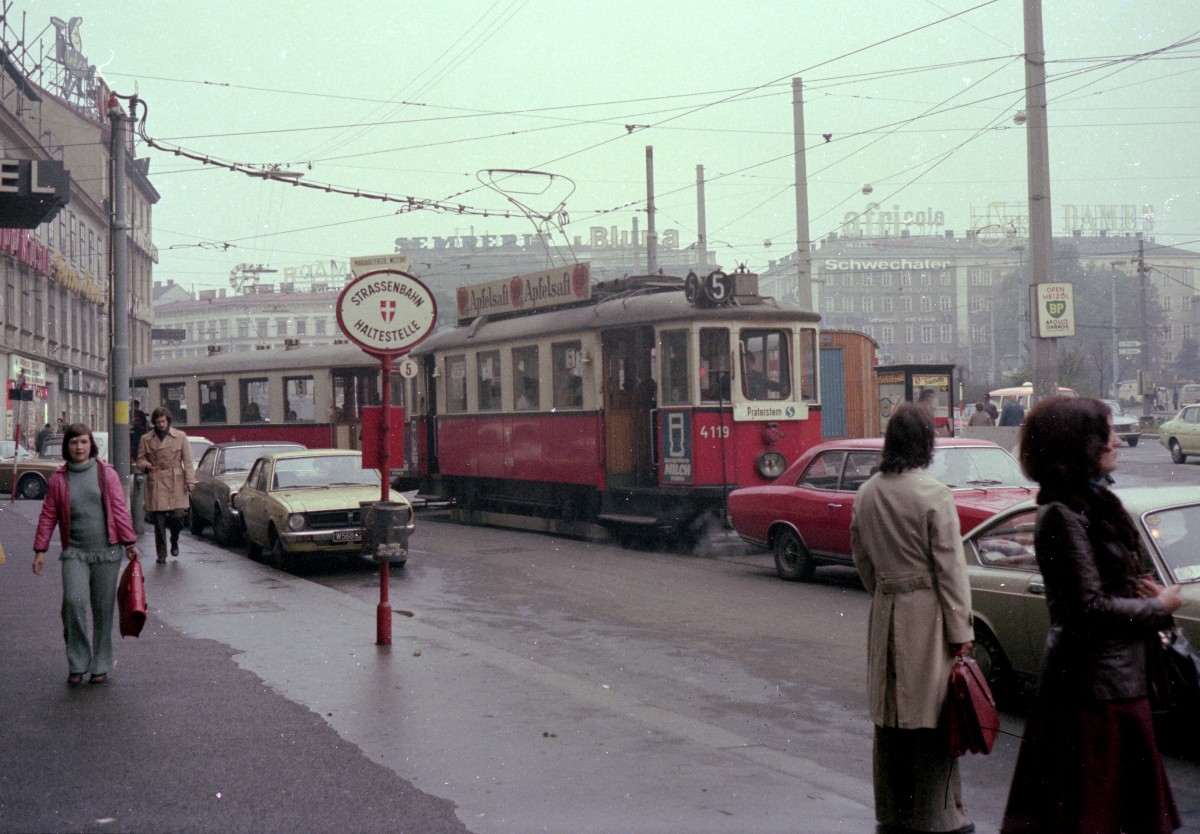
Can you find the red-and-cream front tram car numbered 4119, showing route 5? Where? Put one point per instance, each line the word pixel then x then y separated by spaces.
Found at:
pixel 640 409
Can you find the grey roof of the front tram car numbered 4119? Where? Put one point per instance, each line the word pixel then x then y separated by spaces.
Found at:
pixel 616 311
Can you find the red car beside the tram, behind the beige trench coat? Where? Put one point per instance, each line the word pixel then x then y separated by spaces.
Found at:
pixel 805 515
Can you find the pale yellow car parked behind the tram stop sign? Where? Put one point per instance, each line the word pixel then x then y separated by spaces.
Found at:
pixel 311 503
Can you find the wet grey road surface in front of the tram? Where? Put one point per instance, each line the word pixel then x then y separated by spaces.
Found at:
pixel 551 685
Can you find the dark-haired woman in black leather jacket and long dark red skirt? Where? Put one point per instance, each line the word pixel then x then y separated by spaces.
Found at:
pixel 1089 763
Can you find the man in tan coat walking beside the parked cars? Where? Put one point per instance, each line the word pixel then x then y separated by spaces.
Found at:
pixel 166 458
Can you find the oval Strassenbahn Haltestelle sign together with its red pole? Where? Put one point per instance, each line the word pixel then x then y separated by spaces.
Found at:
pixel 386 313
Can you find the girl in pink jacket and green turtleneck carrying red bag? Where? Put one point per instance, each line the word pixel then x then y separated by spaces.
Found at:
pixel 86 502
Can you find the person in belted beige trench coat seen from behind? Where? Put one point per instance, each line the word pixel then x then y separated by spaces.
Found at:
pixel 909 551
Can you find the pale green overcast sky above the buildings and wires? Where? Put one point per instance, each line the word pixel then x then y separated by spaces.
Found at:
pixel 413 99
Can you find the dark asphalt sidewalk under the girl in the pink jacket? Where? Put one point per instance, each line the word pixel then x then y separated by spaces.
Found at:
pixel 181 739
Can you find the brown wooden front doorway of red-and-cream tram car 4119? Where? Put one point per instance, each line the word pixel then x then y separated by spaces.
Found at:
pixel 629 404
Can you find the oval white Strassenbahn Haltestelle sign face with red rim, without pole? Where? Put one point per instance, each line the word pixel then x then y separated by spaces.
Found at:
pixel 387 313
